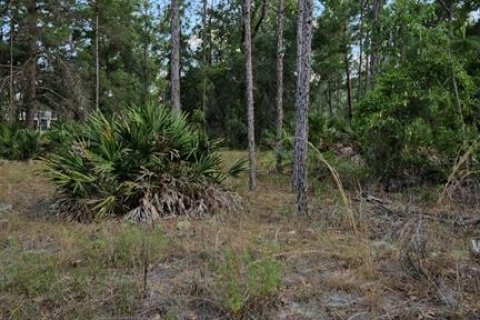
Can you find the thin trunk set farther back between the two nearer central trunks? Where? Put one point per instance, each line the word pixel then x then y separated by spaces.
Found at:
pixel 279 99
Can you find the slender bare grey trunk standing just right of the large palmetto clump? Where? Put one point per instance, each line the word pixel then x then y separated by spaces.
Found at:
pixel 249 94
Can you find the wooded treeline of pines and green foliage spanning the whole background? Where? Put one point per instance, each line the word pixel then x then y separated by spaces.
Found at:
pixel 398 81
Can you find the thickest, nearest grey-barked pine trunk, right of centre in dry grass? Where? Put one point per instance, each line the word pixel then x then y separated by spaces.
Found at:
pixel 303 102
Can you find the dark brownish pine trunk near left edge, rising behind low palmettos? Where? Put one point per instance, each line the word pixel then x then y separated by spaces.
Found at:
pixel 31 64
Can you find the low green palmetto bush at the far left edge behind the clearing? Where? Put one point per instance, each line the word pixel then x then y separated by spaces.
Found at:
pixel 19 143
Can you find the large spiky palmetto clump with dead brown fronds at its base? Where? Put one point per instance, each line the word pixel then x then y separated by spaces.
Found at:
pixel 143 164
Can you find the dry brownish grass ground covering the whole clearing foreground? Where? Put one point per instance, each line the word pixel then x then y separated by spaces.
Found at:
pixel 409 259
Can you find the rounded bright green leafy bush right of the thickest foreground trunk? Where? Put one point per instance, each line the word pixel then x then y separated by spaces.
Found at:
pixel 410 131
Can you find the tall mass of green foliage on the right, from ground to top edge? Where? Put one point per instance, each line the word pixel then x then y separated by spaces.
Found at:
pixel 424 108
